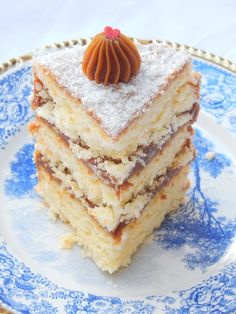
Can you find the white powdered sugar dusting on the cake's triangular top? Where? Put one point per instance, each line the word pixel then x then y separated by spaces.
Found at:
pixel 115 105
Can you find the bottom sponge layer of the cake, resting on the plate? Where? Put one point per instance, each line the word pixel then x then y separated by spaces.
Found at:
pixel 111 250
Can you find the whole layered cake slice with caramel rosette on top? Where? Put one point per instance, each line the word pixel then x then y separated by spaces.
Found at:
pixel 114 139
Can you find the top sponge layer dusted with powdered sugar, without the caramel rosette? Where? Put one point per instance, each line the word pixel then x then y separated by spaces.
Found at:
pixel 116 120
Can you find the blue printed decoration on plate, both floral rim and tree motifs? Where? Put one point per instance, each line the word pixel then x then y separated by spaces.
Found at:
pixel 208 235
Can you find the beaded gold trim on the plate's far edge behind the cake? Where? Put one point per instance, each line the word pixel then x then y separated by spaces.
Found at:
pixel 208 56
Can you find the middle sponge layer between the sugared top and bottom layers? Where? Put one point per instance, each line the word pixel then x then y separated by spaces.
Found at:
pixel 54 148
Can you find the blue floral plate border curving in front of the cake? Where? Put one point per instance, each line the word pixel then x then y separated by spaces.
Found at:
pixel 27 292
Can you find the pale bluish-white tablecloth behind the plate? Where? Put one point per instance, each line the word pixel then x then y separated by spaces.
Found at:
pixel 209 24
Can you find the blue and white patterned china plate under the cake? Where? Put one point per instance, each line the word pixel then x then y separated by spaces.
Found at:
pixel 188 266
